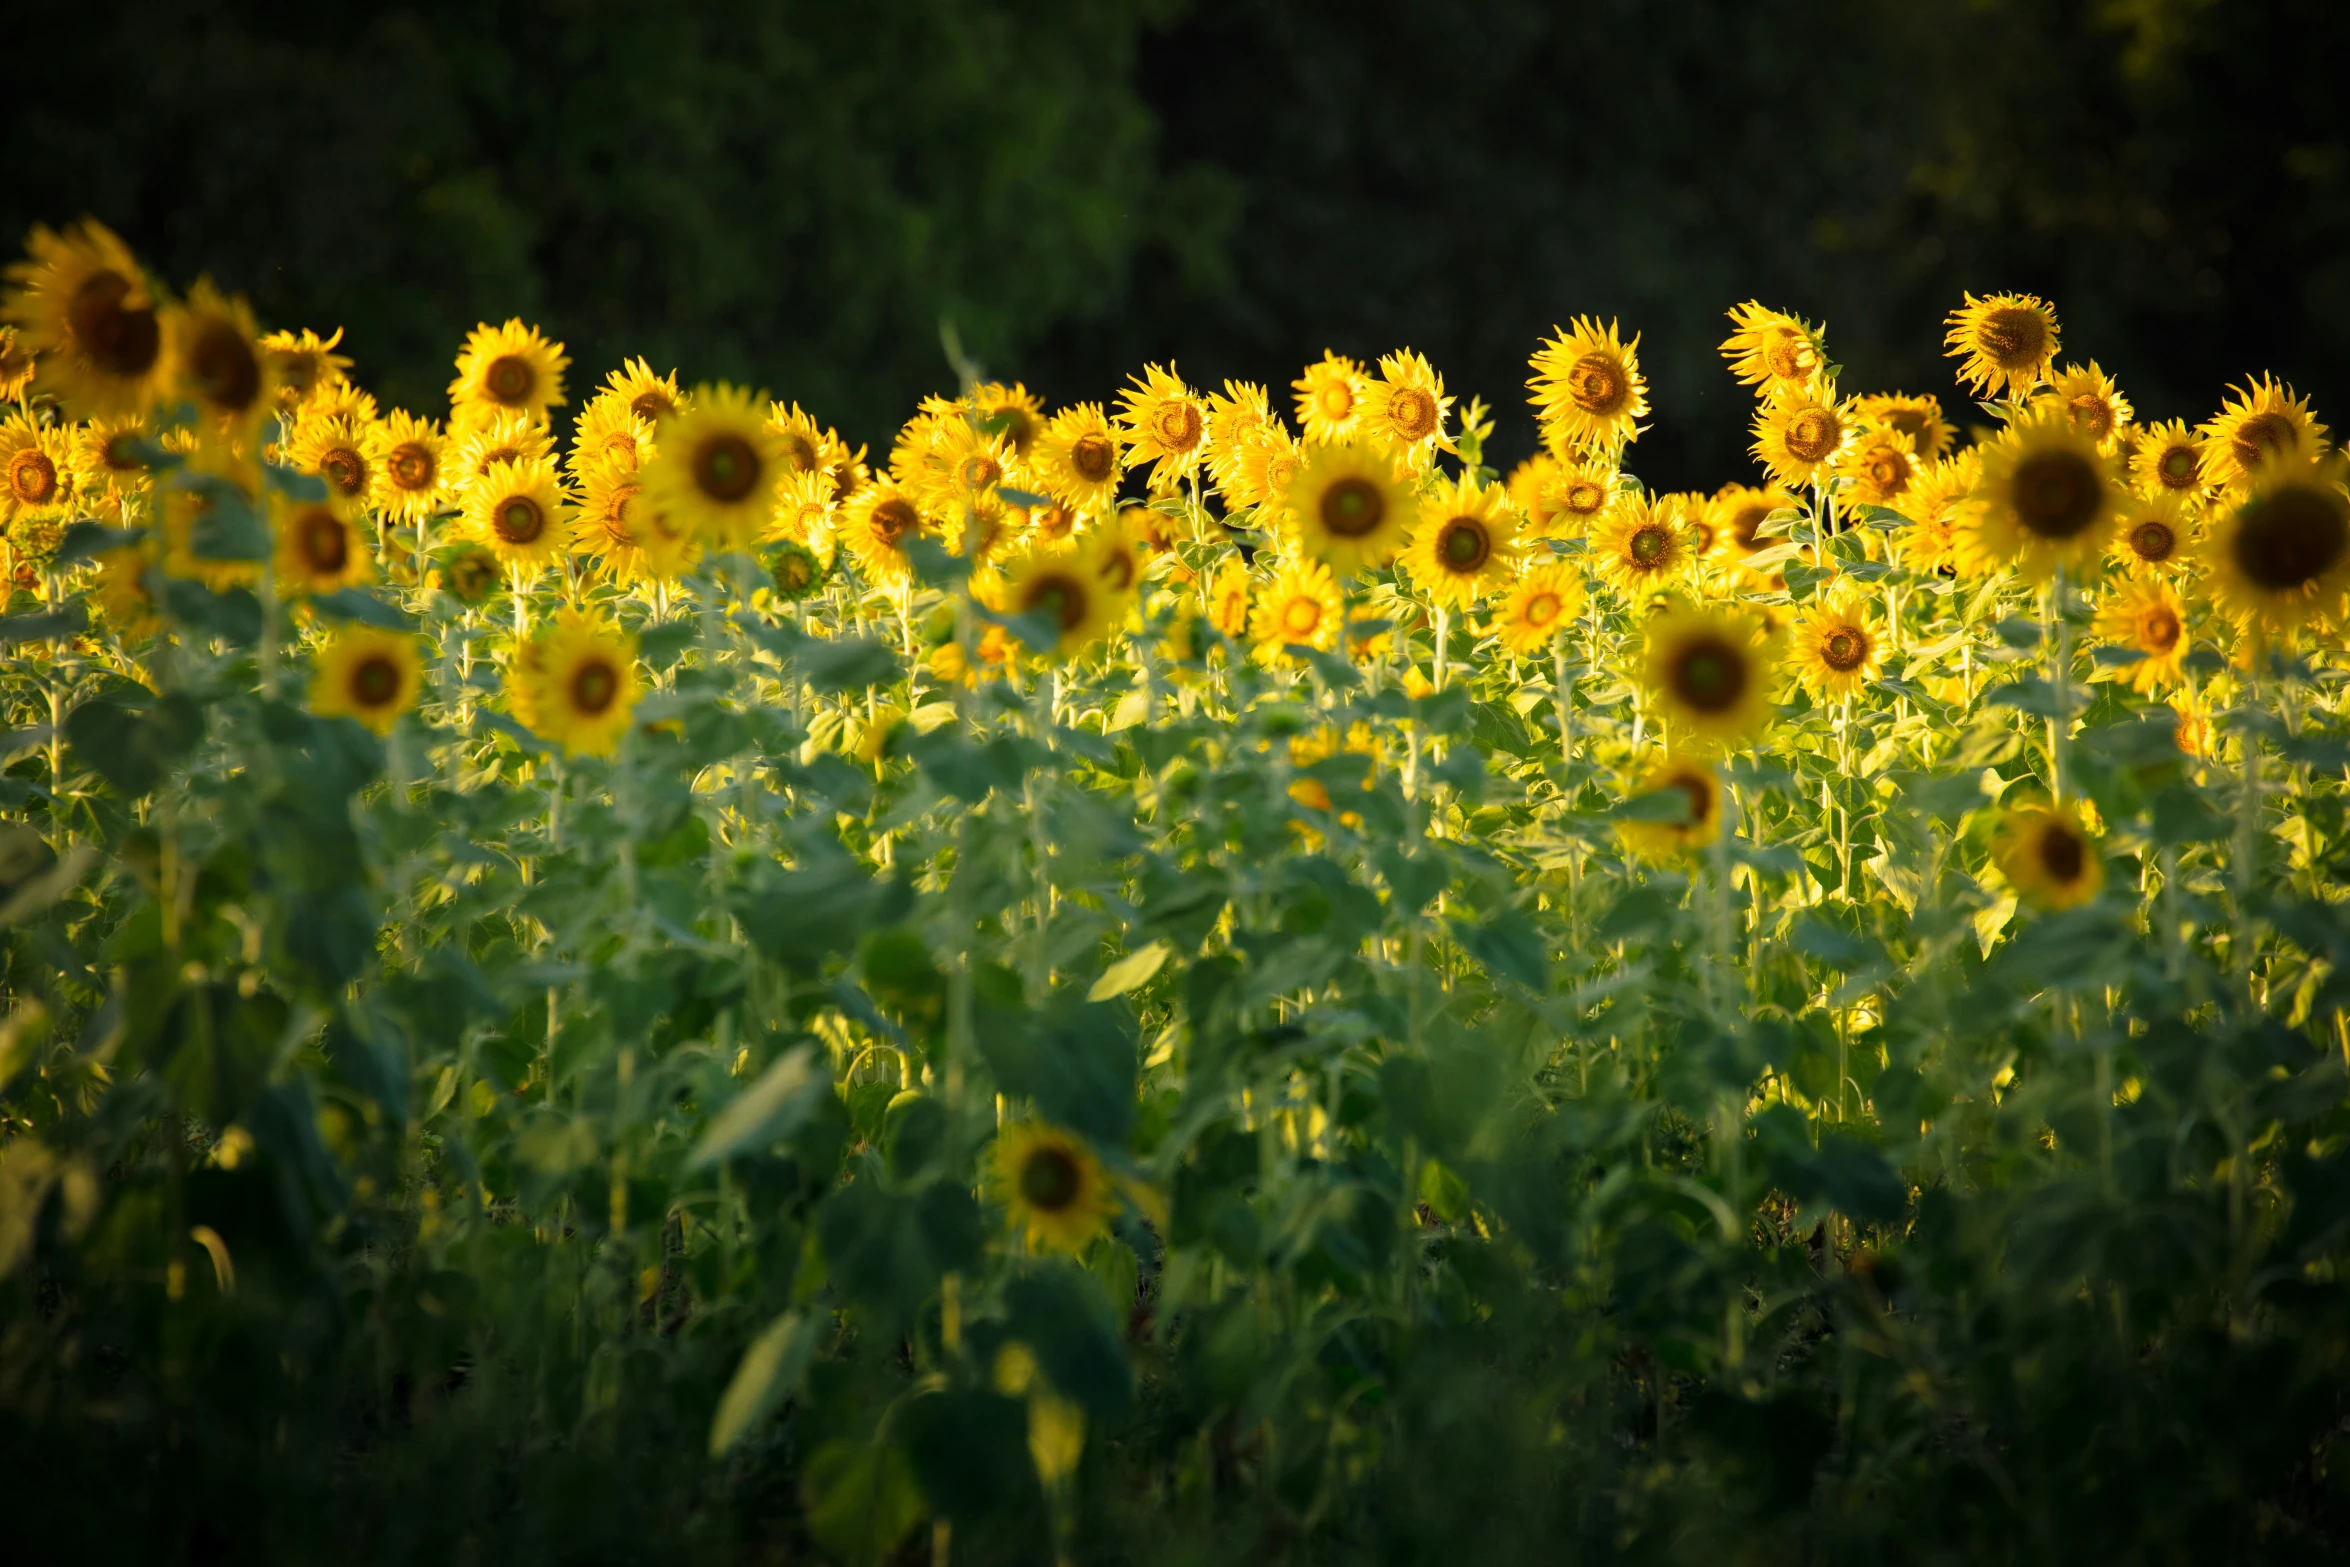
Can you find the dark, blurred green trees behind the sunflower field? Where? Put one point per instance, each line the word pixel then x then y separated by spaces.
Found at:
pixel 798 194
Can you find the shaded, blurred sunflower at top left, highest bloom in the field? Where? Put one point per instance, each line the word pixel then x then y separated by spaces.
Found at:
pixel 93 323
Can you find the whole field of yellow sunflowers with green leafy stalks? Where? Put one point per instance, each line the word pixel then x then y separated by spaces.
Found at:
pixel 1202 976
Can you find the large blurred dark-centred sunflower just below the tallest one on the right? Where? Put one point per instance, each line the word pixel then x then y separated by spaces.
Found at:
pixel 2046 499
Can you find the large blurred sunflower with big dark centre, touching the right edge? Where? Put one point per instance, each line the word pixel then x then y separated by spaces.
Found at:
pixel 2283 553
